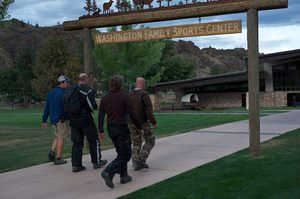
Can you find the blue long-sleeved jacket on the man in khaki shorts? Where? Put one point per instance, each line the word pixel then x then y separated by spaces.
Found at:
pixel 54 106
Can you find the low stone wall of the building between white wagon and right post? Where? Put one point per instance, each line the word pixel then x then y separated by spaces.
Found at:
pixel 220 100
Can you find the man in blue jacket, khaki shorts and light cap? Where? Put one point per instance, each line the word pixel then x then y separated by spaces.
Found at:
pixel 58 119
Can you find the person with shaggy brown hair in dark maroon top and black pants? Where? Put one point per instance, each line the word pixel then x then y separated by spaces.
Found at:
pixel 117 107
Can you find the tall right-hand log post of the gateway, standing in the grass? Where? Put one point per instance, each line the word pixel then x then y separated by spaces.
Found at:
pixel 253 81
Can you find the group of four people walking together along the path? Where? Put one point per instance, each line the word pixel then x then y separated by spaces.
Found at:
pixel 130 119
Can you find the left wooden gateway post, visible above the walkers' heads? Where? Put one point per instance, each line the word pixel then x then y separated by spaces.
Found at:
pixel 87 50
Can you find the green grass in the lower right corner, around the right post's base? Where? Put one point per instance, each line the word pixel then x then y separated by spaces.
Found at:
pixel 273 175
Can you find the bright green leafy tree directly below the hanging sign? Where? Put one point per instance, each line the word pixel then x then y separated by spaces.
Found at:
pixel 129 60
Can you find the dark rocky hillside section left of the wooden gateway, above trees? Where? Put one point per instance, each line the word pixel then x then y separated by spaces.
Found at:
pixel 16 35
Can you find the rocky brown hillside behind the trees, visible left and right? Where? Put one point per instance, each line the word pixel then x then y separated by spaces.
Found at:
pixel 19 35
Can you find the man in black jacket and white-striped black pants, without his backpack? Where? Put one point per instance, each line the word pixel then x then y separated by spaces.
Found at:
pixel 83 124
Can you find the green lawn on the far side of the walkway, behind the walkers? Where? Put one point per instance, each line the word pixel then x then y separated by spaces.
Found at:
pixel 23 143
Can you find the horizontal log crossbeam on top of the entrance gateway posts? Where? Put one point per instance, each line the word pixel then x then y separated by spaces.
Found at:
pixel 221 8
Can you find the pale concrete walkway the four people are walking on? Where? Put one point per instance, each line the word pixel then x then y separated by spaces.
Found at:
pixel 171 156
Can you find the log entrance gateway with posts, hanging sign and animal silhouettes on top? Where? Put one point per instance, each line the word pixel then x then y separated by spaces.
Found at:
pixel 197 8
